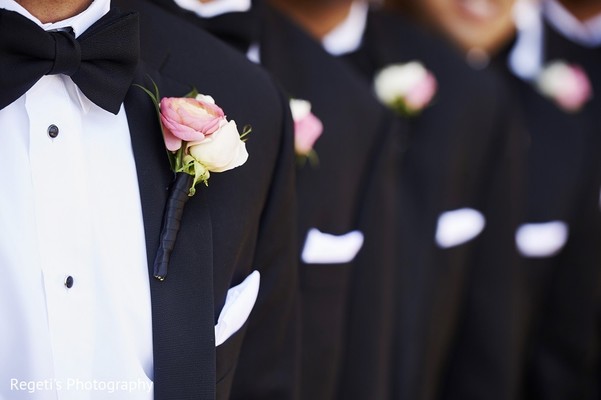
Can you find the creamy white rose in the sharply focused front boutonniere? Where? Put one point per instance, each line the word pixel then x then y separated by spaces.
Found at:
pixel 220 151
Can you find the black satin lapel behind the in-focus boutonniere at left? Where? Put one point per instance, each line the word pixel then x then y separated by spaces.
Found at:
pixel 182 305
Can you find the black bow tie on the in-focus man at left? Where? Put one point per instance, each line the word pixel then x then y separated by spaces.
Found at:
pixel 101 62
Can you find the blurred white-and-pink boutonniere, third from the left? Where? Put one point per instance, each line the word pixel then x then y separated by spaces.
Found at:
pixel 406 88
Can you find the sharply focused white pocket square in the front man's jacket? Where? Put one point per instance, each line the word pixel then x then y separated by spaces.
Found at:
pixel 239 302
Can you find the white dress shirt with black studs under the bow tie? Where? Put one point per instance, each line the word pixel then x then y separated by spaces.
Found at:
pixel 70 215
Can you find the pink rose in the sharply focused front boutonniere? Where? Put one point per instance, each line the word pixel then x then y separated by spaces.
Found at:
pixel 189 119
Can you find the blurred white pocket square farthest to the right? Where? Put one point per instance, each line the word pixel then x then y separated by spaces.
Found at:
pixel 541 239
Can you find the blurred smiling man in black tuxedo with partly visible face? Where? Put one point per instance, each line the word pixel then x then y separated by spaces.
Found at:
pixel 558 236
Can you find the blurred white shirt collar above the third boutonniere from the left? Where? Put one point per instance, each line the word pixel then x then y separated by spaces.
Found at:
pixel 347 36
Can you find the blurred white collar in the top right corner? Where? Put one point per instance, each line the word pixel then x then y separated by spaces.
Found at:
pixel 587 33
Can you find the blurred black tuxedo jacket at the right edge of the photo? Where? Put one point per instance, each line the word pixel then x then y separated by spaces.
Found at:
pixel 564 291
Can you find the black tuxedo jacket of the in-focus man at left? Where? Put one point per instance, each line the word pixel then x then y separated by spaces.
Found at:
pixel 243 221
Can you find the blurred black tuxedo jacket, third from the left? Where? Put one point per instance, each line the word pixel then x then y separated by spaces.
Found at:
pixel 456 313
